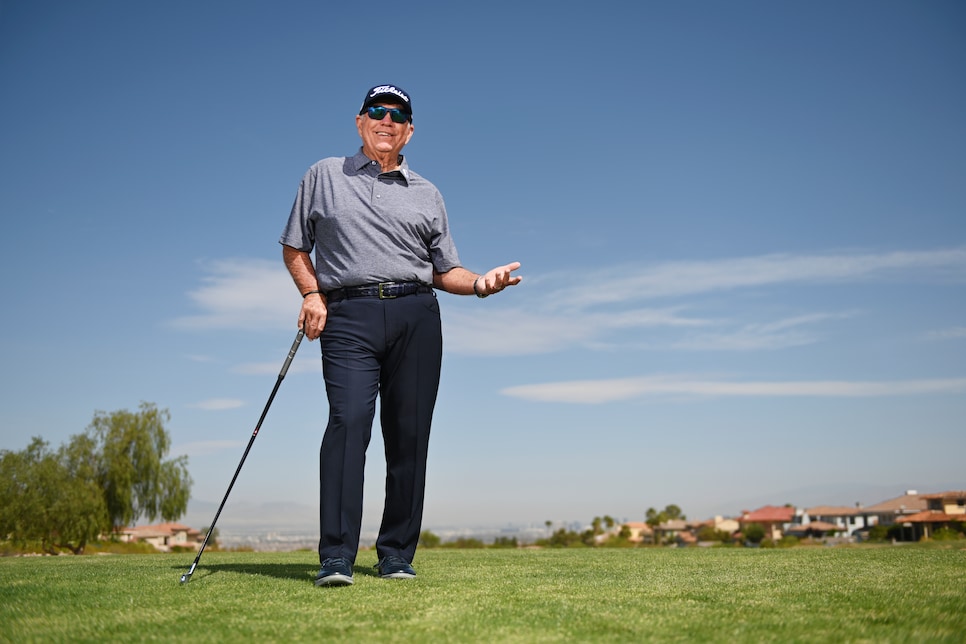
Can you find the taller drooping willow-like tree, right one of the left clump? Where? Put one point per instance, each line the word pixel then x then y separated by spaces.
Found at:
pixel 136 480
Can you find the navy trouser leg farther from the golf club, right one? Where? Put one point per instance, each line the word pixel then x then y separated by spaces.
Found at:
pixel 408 388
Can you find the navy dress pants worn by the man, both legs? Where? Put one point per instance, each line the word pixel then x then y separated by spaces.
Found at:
pixel 392 348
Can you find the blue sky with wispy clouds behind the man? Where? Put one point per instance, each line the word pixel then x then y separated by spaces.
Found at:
pixel 742 227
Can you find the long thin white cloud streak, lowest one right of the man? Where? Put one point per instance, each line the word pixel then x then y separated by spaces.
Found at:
pixel 612 390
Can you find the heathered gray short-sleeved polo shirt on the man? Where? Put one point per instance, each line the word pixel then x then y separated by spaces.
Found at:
pixel 367 226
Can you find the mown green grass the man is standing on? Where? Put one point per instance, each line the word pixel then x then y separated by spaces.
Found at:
pixel 882 594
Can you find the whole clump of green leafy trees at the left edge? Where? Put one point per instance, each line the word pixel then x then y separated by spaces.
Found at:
pixel 106 477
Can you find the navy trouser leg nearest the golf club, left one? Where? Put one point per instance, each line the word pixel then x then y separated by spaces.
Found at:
pixel 350 366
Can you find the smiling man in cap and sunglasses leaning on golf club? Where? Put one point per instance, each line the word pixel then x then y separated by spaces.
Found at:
pixel 382 243
